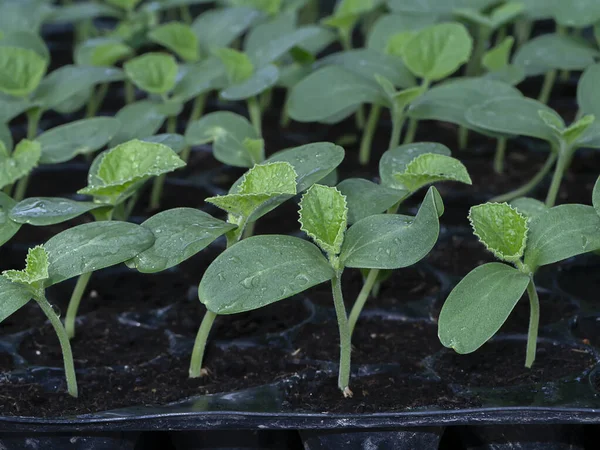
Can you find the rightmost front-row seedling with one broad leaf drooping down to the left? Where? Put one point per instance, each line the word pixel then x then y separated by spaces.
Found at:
pixel 482 301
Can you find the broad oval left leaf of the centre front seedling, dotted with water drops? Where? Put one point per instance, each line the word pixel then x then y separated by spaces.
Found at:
pixel 261 270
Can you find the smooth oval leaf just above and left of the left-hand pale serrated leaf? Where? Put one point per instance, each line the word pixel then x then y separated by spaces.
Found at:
pixel 85 136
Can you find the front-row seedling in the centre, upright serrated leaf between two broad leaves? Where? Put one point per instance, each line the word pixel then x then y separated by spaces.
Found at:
pixel 264 269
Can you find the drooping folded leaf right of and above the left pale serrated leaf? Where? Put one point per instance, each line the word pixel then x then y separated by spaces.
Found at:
pixel 228 132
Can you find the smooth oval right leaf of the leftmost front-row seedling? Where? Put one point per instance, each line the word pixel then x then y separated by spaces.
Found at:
pixel 94 246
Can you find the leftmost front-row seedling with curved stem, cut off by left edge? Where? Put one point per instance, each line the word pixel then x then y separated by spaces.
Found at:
pixel 67 255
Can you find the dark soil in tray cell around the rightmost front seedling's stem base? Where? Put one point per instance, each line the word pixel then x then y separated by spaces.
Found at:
pixel 501 363
